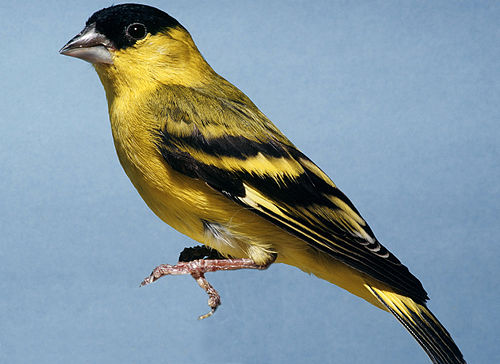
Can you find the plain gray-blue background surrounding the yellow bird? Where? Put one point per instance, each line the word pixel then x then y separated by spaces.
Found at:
pixel 397 101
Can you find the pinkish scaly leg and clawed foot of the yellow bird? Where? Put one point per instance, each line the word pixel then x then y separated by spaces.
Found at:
pixel 197 269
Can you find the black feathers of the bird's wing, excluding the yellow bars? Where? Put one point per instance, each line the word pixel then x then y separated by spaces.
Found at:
pixel 305 190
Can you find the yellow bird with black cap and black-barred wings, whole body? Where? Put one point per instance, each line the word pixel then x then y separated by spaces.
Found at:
pixel 210 164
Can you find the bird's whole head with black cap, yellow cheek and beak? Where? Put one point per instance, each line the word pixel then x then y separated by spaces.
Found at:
pixel 132 45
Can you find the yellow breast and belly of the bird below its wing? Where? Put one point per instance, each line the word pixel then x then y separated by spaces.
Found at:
pixel 188 204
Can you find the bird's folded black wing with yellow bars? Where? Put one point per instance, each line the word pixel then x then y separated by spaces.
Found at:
pixel 237 151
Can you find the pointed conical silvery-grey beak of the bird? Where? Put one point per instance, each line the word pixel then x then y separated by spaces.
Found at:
pixel 89 45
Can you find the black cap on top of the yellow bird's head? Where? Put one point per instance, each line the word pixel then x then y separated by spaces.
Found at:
pixel 114 23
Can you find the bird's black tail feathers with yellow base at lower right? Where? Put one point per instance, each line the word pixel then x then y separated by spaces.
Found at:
pixel 423 325
